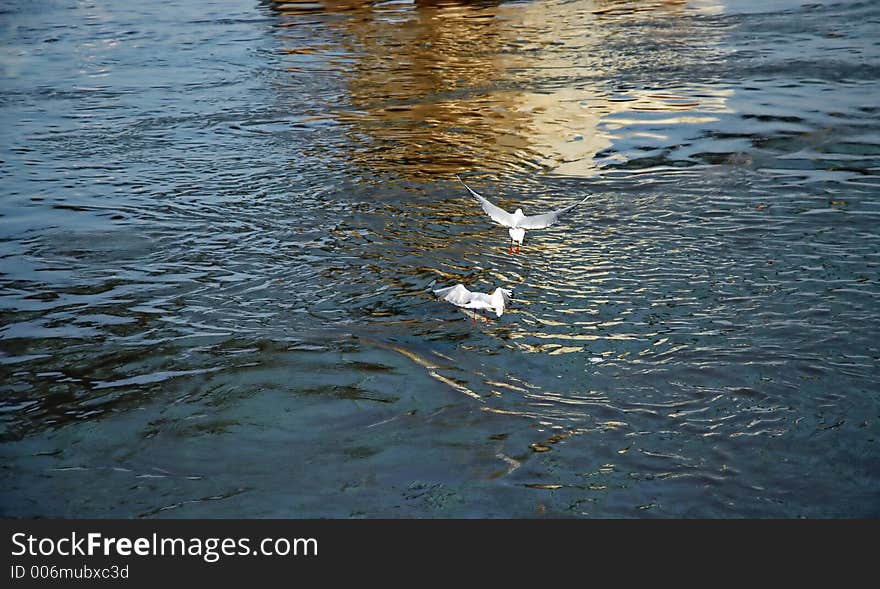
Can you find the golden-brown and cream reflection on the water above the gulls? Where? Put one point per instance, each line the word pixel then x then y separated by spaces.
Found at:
pixel 439 88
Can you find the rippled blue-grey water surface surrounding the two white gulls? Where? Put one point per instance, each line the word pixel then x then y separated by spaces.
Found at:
pixel 222 221
